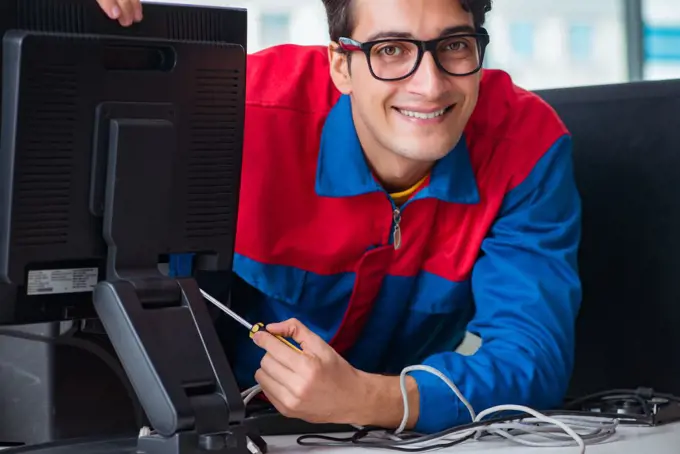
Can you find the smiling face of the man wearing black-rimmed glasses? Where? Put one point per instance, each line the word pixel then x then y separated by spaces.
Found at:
pixel 422 117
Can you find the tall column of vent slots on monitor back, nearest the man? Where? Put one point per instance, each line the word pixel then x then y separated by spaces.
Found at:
pixel 214 142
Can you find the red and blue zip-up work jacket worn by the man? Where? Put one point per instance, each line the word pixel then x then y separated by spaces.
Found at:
pixel 488 243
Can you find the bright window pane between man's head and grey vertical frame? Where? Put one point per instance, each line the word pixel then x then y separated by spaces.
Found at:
pixel 570 43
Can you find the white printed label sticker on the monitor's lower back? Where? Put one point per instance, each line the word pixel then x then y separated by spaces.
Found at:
pixel 49 282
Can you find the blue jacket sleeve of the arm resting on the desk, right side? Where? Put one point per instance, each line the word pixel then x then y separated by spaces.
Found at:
pixel 527 294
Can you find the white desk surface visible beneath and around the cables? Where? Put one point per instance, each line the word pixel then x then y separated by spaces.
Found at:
pixel 626 440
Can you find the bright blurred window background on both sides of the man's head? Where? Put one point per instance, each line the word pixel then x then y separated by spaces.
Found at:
pixel 541 43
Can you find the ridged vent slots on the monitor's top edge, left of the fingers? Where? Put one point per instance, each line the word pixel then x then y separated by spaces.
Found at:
pixel 52 16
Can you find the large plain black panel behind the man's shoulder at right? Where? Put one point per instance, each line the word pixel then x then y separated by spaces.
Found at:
pixel 627 164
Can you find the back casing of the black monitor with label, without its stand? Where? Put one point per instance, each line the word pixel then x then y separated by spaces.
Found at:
pixel 55 132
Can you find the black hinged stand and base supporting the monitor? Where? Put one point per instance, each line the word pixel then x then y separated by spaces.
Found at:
pixel 159 326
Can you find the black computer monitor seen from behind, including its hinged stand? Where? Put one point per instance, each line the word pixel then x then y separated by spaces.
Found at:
pixel 119 146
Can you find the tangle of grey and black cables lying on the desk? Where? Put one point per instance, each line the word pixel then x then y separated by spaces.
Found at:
pixel 547 429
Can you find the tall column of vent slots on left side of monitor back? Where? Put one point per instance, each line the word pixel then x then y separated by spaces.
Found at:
pixel 44 155
